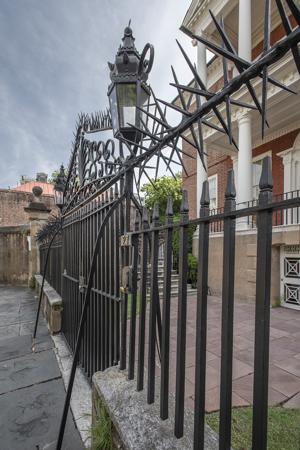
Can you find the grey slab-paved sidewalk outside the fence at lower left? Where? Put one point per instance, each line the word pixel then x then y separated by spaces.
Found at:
pixel 31 388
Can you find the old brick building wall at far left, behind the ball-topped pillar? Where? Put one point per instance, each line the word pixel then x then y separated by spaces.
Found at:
pixel 12 204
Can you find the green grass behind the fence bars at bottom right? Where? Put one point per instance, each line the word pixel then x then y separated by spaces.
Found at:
pixel 283 428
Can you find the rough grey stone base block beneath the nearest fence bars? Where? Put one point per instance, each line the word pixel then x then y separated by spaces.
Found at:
pixel 137 425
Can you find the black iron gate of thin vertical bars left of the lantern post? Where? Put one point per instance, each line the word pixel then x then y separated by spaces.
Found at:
pixel 101 338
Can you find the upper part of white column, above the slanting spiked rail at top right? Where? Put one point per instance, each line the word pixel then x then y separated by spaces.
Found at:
pixel 245 44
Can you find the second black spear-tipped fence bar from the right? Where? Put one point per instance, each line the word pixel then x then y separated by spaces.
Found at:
pixel 227 317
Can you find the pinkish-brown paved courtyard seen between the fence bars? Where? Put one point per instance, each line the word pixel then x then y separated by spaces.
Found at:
pixel 284 378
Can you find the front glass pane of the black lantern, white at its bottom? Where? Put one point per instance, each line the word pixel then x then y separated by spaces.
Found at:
pixel 127 104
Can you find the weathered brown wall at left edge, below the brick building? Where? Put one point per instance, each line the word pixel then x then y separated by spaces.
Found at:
pixel 14 254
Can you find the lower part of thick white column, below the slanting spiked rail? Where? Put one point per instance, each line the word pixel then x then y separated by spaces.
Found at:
pixel 244 169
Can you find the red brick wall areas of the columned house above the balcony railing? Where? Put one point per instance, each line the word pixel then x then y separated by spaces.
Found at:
pixel 219 164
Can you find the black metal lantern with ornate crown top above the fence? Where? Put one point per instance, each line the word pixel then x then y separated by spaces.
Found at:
pixel 128 91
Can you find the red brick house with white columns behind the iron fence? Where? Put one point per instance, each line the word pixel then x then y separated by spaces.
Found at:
pixel 244 22
